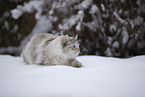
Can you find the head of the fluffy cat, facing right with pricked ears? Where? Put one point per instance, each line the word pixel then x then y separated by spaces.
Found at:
pixel 70 45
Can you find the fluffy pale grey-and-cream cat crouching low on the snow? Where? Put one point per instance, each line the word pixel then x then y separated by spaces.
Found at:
pixel 48 49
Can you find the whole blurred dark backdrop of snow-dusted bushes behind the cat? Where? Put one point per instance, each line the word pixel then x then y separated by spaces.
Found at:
pixel 105 27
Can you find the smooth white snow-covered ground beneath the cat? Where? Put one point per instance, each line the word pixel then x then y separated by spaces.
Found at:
pixel 100 77
